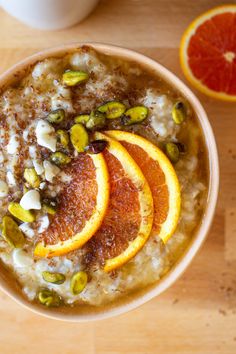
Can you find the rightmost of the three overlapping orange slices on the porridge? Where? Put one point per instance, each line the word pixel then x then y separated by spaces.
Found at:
pixel 161 178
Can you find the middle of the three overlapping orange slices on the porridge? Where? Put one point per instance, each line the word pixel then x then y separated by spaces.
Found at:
pixel 128 222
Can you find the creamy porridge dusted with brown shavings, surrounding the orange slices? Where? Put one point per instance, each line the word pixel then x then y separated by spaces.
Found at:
pixel 30 177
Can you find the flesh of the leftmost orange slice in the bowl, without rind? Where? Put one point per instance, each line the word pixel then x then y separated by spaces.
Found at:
pixel 76 202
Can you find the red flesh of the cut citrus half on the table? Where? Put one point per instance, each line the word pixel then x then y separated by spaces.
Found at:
pixel 212 53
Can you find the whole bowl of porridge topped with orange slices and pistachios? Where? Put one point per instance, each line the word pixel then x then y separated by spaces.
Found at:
pixel 109 180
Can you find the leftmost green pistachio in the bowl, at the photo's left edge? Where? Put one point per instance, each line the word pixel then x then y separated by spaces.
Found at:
pixel 11 232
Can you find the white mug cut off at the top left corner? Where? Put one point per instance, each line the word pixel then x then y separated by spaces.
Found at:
pixel 49 14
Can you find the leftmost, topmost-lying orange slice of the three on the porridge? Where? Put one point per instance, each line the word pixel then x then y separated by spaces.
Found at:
pixel 82 205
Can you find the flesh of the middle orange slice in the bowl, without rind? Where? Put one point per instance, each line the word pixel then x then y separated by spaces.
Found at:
pixel 122 220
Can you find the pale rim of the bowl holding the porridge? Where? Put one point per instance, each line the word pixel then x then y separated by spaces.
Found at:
pixel 202 232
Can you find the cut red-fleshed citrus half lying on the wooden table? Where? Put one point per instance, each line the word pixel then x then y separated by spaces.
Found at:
pixel 208 53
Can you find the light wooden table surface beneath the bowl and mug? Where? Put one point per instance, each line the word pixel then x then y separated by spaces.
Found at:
pixel 198 314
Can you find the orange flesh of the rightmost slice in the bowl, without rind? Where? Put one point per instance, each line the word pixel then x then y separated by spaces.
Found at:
pixel 156 180
